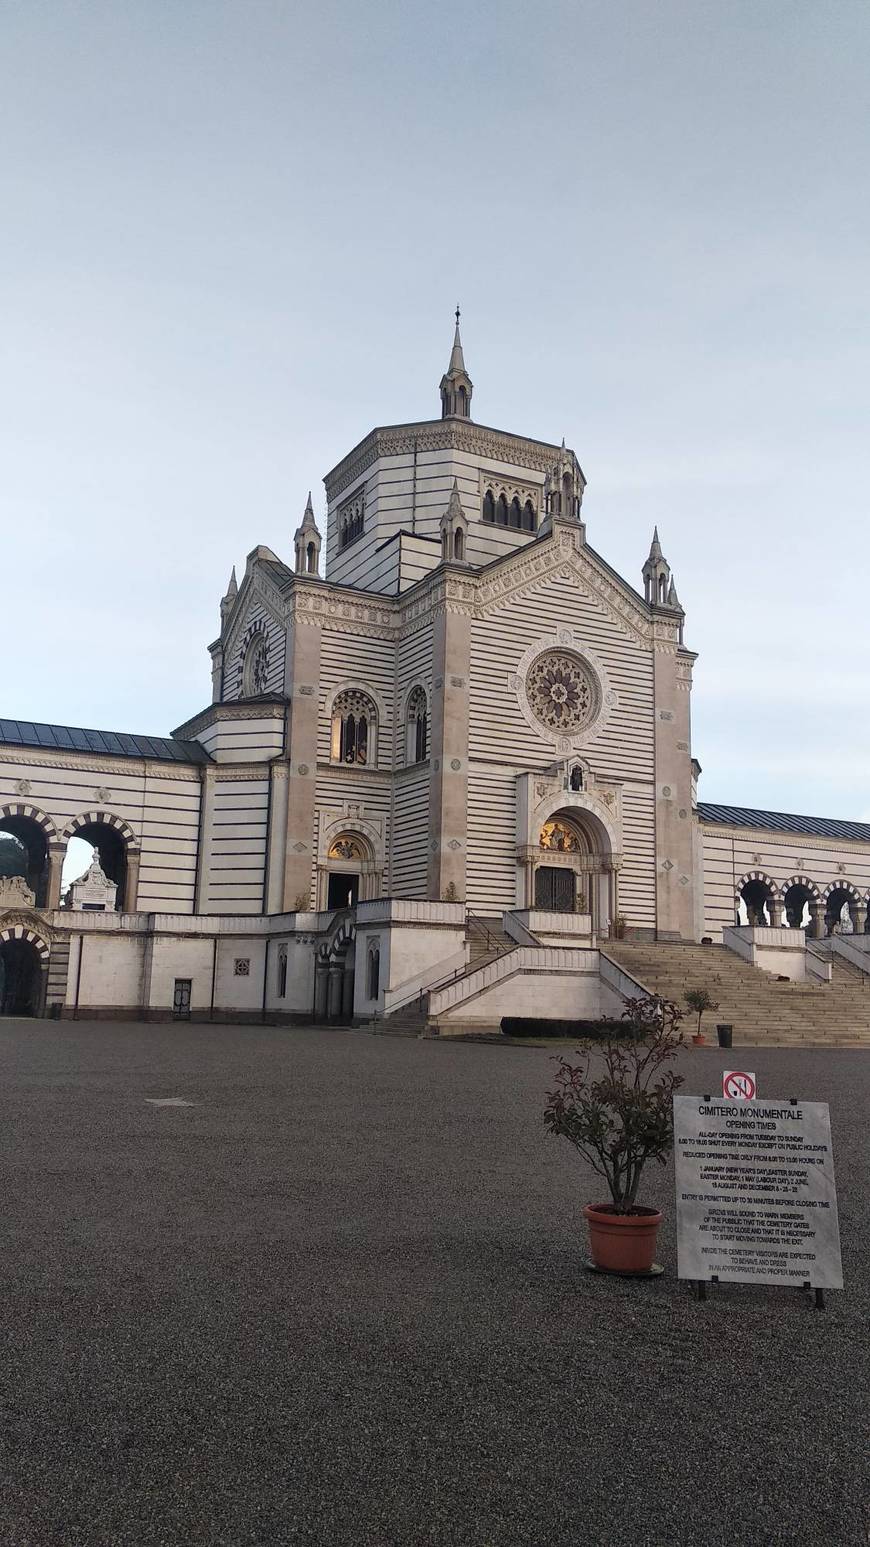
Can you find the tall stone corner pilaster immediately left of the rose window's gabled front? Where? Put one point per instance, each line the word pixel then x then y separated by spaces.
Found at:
pixel 448 788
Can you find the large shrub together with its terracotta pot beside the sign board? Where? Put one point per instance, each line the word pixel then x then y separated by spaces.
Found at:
pixel 618 1112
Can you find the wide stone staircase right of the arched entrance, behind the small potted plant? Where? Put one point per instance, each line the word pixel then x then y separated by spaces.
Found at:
pixel 762 1009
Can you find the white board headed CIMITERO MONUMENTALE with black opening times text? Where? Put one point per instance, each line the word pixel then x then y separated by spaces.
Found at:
pixel 756 1197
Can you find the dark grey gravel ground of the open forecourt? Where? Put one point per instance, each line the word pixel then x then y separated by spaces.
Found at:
pixel 341 1299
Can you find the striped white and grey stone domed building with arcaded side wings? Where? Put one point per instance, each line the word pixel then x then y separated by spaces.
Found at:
pixel 457 765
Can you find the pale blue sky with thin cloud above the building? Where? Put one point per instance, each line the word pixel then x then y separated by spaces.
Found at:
pixel 233 241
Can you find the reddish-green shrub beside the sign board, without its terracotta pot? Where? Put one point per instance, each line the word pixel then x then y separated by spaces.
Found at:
pixel 625 1118
